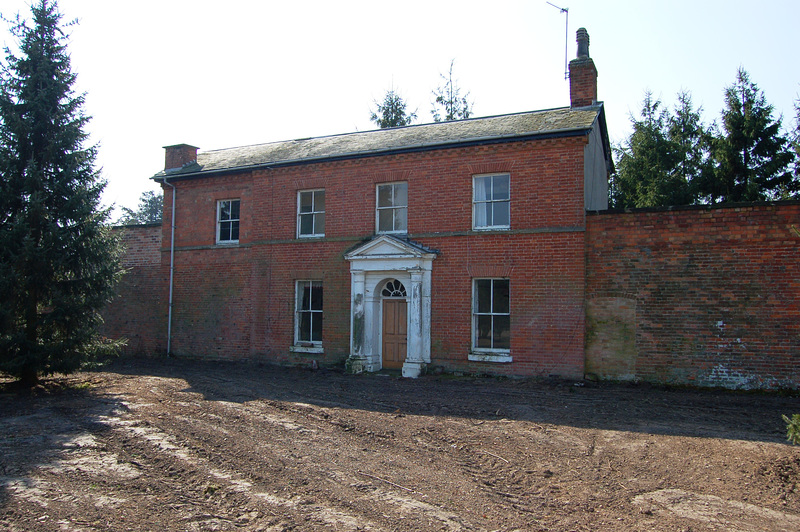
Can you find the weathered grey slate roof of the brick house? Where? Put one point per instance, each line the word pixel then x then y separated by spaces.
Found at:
pixel 564 121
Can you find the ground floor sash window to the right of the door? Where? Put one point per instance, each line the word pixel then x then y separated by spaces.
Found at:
pixel 491 316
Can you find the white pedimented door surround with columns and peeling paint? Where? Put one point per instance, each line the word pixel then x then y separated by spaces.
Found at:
pixel 372 264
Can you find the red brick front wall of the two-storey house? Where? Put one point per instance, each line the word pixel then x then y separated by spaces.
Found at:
pixel 238 302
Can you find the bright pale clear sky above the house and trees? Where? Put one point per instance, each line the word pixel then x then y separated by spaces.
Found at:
pixel 219 74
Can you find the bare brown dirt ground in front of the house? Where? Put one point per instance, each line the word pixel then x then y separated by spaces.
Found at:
pixel 188 445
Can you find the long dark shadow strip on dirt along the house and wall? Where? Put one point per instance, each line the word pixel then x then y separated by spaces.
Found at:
pixel 606 406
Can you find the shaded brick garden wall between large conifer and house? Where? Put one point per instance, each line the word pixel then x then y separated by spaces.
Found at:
pixel 138 312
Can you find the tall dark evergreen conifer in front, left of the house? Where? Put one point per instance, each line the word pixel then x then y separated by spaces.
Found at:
pixel 58 260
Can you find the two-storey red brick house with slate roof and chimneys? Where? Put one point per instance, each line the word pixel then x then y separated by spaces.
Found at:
pixel 457 244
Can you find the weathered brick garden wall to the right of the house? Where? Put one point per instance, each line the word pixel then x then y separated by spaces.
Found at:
pixel 704 296
